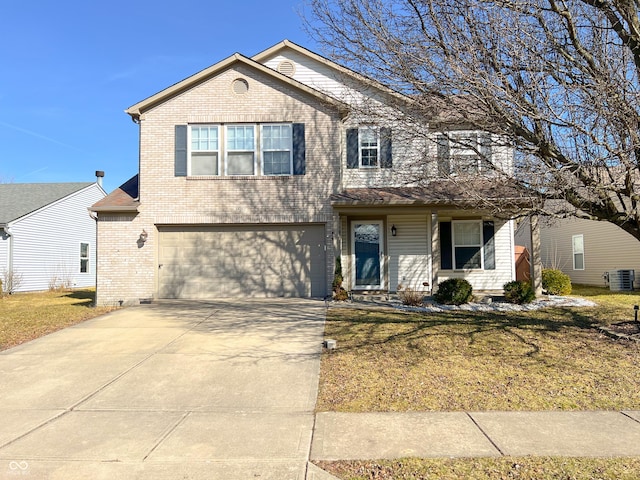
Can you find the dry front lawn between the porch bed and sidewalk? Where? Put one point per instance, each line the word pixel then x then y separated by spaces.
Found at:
pixel 553 359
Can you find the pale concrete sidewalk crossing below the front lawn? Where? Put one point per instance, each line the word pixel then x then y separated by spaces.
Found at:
pixel 358 436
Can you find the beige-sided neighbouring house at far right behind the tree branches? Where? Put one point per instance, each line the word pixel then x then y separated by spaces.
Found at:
pixel 588 250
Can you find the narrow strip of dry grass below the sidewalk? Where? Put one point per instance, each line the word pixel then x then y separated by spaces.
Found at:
pixel 526 468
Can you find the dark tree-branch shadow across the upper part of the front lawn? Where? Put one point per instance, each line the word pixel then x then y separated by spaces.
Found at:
pixel 362 328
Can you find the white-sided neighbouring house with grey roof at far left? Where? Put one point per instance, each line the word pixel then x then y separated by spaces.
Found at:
pixel 48 235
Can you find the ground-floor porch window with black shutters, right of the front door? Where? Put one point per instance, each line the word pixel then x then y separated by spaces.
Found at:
pixel 467 244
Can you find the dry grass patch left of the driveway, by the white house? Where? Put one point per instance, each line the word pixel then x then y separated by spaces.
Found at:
pixel 25 316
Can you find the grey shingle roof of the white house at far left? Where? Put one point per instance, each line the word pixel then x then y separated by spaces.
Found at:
pixel 20 199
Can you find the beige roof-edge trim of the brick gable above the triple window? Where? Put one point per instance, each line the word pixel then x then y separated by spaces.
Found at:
pixel 136 110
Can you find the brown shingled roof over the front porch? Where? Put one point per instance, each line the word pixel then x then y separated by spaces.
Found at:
pixel 441 192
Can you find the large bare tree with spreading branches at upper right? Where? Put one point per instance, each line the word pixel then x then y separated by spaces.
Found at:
pixel 557 79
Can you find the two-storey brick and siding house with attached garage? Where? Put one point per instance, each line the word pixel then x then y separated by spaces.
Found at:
pixel 255 173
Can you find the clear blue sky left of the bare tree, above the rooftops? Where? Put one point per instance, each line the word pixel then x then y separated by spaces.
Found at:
pixel 70 68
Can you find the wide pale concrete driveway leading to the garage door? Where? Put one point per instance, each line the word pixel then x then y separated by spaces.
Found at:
pixel 171 390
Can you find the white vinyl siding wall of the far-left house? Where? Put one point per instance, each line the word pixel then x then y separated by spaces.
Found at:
pixel 46 243
